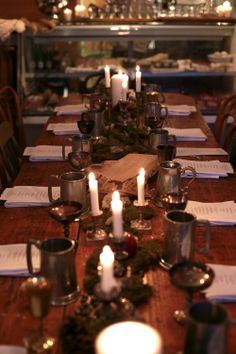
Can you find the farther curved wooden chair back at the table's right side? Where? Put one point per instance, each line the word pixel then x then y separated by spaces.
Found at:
pixel 226 113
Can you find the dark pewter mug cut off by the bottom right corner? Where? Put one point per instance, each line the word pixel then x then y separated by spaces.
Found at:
pixel 207 327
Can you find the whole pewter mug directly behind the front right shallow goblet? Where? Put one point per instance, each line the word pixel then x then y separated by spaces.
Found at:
pixel 180 237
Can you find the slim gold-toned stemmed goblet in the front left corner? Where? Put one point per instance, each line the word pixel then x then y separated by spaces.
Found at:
pixel 38 290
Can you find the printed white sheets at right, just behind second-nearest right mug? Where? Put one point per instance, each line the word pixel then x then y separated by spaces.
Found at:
pixel 223 213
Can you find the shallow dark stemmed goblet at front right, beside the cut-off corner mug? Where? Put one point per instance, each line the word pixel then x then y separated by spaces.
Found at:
pixel 190 276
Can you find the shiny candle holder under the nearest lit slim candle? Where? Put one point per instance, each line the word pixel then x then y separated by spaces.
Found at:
pixel 112 304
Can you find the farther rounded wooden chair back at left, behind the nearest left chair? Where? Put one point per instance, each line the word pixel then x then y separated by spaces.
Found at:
pixel 10 110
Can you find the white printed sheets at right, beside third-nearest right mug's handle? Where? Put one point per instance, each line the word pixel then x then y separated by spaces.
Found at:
pixel 207 169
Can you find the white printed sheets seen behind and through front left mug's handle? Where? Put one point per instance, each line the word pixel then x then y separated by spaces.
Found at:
pixel 13 259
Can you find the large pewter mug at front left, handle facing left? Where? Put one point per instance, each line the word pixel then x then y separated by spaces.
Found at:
pixel 57 264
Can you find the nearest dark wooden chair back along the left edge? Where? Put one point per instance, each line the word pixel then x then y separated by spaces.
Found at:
pixel 10 154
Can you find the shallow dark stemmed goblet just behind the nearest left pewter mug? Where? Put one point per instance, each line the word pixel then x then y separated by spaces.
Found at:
pixel 65 212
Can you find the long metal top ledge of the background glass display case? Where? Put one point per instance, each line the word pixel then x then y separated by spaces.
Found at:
pixel 116 31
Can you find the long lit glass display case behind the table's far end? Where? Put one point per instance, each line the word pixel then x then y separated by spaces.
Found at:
pixel 193 58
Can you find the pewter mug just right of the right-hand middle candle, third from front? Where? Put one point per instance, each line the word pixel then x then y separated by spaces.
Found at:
pixel 169 178
